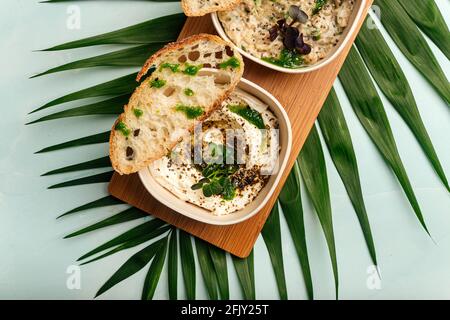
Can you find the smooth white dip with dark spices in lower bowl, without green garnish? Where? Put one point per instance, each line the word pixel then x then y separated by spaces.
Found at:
pixel 260 150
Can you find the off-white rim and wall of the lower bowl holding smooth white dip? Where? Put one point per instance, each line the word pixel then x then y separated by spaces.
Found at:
pixel 197 213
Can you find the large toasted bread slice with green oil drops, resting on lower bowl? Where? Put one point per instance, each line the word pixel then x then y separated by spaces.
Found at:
pixel 190 80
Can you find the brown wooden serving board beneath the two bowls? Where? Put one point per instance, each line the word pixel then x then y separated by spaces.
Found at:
pixel 301 95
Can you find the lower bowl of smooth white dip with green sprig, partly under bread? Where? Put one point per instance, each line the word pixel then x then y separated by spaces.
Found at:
pixel 226 170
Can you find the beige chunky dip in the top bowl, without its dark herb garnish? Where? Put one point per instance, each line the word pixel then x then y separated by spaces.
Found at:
pixel 248 24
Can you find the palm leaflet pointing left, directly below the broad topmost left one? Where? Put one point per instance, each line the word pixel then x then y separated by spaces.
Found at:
pixel 131 57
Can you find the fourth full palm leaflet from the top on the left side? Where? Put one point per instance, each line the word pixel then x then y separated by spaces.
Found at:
pixel 109 106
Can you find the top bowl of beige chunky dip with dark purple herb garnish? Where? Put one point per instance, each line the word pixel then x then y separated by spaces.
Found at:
pixel 290 36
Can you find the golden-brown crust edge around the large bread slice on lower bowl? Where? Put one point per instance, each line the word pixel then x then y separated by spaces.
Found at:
pixel 116 158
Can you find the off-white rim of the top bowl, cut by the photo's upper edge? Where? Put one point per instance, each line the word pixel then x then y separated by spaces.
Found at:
pixel 351 29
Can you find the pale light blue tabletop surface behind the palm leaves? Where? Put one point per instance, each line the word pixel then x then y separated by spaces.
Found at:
pixel 34 257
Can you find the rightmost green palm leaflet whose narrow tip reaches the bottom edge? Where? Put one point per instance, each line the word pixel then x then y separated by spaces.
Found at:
pixel 314 173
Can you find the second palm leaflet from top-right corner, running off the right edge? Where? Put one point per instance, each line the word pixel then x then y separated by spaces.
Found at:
pixel 413 45
